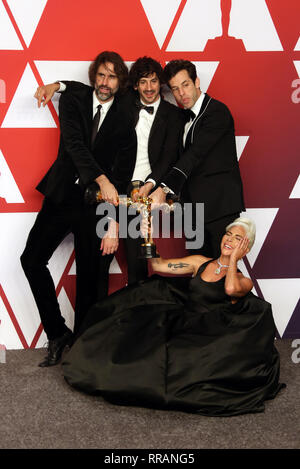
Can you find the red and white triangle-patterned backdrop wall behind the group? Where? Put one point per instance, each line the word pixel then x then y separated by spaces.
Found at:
pixel 247 53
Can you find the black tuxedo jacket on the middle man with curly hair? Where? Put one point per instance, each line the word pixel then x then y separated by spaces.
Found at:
pixel 165 139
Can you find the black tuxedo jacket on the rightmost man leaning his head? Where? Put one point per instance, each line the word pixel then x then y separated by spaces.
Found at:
pixel 208 170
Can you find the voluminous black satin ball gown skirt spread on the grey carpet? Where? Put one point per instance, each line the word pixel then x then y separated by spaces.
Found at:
pixel 179 344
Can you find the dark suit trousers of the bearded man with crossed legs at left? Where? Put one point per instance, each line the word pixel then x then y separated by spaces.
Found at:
pixel 52 225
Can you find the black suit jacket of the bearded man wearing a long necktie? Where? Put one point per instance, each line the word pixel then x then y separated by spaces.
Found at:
pixel 113 153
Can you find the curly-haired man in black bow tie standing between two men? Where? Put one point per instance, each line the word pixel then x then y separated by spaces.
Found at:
pixel 159 127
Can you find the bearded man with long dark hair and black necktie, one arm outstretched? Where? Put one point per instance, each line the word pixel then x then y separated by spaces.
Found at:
pixel 97 144
